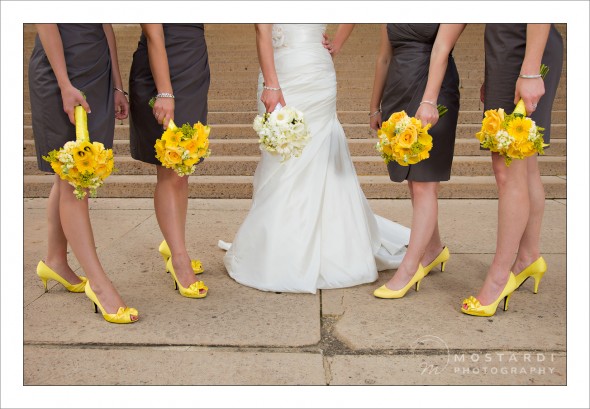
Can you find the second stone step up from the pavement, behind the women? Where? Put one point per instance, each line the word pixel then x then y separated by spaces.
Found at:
pixel 365 165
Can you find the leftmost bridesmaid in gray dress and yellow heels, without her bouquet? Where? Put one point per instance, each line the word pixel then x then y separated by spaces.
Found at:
pixel 67 59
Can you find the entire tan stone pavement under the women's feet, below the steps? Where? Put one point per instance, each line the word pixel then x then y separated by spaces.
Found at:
pixel 241 336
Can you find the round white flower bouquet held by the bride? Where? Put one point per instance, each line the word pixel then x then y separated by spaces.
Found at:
pixel 282 132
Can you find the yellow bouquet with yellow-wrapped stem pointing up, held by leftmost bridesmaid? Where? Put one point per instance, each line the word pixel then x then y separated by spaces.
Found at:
pixel 84 164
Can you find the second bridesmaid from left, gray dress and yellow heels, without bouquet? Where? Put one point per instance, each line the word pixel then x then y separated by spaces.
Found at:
pixel 171 64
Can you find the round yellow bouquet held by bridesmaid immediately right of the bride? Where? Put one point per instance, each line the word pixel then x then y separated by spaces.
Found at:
pixel 404 140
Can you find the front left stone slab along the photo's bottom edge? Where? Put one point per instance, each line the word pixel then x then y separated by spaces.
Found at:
pixel 171 366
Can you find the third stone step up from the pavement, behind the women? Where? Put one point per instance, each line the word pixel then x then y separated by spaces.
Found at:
pixel 357 147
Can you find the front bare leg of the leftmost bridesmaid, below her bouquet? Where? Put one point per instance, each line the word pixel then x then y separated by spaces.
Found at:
pixel 75 220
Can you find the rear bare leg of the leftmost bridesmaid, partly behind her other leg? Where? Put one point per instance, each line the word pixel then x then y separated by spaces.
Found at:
pixel 57 244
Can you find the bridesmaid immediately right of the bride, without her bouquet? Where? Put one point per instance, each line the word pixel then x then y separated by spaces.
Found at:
pixel 415 71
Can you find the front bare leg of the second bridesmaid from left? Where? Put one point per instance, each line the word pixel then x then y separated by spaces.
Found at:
pixel 171 202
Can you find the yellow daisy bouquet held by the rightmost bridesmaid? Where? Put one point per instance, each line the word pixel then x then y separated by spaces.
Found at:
pixel 513 136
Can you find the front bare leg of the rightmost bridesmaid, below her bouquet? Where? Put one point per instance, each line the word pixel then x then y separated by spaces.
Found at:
pixel 513 213
